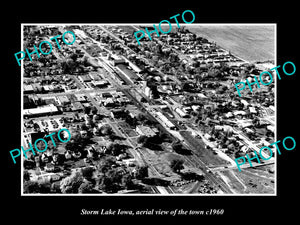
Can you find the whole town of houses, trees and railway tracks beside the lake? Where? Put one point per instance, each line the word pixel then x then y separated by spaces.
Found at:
pixel 158 117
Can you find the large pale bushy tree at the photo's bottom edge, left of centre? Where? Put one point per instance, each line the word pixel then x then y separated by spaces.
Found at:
pixel 72 183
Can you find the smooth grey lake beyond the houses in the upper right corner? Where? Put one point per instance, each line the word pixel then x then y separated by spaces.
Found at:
pixel 250 42
